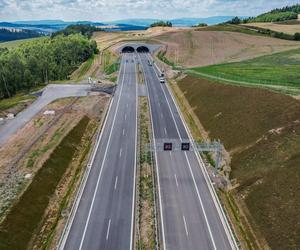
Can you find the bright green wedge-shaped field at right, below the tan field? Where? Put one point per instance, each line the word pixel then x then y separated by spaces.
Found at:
pixel 277 69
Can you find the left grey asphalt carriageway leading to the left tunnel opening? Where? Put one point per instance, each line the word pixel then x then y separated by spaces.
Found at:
pixel 104 218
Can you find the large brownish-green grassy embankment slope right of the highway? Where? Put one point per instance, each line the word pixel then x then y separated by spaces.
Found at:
pixel 261 130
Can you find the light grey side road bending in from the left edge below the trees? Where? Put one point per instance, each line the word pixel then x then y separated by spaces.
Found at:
pixel 50 93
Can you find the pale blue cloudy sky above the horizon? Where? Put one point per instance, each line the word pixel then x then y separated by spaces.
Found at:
pixel 107 10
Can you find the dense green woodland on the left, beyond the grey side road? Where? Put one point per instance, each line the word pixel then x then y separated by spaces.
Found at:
pixel 37 62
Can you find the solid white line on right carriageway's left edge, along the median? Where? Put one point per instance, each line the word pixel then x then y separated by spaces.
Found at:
pixel 156 164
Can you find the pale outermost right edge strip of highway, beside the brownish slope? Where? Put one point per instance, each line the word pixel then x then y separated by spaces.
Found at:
pixel 216 200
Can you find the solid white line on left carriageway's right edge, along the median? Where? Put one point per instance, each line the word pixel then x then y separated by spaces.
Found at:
pixel 135 163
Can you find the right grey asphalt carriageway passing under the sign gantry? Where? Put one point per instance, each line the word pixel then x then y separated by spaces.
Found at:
pixel 190 217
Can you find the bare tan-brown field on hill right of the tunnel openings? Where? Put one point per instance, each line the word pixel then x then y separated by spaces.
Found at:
pixel 191 48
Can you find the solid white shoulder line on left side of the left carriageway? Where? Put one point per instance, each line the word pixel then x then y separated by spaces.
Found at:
pixel 104 158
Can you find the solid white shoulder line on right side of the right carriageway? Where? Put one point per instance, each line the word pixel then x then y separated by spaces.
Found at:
pixel 191 172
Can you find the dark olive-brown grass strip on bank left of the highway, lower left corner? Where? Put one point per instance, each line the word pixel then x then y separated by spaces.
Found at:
pixel 25 217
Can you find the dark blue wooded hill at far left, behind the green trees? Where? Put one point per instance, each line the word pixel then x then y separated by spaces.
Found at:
pixel 12 34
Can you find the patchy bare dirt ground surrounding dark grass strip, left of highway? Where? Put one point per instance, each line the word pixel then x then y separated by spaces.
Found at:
pixel 14 176
